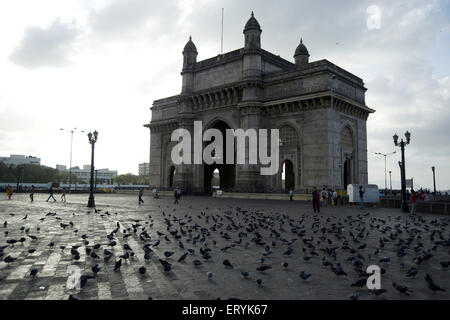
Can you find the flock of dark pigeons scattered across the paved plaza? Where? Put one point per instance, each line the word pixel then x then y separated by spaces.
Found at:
pixel 343 245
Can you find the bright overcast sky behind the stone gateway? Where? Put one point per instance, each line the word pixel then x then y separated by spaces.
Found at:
pixel 100 64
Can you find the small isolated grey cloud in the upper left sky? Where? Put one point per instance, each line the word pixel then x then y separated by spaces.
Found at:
pixel 49 47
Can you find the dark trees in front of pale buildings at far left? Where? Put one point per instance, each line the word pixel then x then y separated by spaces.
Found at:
pixel 29 173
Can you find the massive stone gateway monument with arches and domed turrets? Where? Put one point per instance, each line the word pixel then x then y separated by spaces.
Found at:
pixel 318 107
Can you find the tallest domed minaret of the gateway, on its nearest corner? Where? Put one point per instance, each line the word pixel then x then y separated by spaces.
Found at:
pixel 252 46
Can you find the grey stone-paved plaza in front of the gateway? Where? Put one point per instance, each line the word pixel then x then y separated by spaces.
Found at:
pixel 246 227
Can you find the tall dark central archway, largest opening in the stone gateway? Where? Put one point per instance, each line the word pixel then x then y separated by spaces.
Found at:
pixel 226 172
